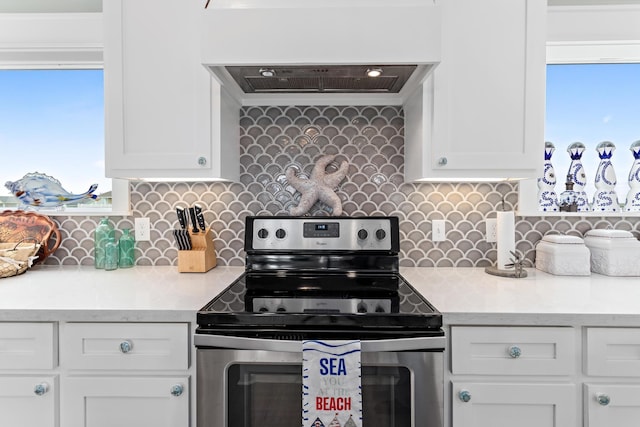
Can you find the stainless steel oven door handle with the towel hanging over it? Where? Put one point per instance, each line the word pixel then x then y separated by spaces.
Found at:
pixel 389 345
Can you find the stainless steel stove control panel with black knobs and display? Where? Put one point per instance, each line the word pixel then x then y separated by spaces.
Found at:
pixel 322 233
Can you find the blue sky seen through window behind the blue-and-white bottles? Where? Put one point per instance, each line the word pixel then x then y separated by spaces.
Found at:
pixel 591 103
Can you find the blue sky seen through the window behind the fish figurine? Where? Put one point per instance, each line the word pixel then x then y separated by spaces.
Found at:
pixel 52 121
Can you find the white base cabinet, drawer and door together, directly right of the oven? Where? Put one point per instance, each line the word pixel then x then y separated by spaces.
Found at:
pixel 505 376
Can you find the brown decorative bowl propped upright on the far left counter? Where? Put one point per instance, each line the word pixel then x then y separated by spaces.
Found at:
pixel 19 226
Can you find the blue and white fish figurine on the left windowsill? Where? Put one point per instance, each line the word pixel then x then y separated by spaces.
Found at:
pixel 40 190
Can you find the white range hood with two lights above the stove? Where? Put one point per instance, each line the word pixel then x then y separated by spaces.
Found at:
pixel 298 52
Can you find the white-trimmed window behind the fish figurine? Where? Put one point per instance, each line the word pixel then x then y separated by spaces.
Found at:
pixel 51 107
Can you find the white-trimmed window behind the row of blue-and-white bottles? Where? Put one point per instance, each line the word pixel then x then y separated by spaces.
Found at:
pixel 593 57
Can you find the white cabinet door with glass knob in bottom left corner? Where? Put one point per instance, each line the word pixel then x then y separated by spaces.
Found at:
pixel 29 401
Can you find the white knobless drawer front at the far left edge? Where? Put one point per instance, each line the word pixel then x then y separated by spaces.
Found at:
pixel 28 345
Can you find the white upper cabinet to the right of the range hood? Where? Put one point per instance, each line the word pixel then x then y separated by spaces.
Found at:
pixel 480 114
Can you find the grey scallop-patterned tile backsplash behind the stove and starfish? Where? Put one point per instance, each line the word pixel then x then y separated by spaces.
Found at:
pixel 370 139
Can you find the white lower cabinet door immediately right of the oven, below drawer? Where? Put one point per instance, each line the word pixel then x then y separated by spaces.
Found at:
pixel 508 405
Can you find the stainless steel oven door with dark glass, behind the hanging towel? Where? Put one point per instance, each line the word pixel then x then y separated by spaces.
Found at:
pixel 238 387
